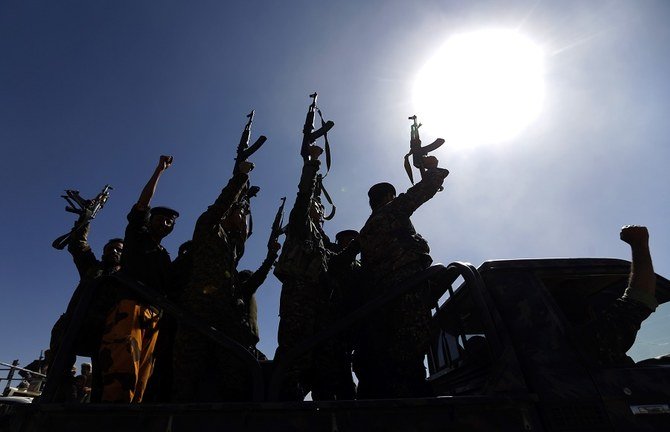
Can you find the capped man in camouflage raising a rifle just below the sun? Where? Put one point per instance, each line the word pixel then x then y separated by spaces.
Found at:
pixel 389 357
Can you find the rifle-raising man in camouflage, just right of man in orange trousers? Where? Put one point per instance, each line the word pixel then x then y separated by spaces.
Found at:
pixel 202 372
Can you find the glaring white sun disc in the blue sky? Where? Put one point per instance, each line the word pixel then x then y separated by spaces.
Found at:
pixel 481 88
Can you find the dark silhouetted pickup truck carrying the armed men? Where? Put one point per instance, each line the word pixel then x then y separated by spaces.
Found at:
pixel 504 357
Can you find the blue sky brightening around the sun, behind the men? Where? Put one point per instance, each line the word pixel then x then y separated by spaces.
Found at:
pixel 92 92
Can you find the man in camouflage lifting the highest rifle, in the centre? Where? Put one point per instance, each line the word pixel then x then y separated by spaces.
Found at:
pixel 301 265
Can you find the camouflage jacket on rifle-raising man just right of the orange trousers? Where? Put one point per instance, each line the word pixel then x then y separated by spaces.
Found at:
pixel 213 251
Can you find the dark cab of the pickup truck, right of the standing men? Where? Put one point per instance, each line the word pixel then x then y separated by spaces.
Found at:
pixel 509 330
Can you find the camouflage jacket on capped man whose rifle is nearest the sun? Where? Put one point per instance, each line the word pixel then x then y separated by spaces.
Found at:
pixel 388 239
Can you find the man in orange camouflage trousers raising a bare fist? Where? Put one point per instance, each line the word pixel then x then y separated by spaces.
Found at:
pixel 131 327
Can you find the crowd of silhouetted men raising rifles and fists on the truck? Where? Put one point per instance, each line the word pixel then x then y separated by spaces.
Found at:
pixel 139 353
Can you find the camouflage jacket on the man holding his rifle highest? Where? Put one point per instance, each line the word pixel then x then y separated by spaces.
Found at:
pixel 306 250
